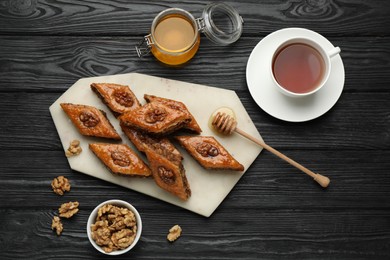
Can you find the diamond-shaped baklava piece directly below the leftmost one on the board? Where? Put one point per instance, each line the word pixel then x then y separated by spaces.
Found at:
pixel 120 159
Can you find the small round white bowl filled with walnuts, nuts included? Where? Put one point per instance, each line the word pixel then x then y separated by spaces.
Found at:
pixel 114 227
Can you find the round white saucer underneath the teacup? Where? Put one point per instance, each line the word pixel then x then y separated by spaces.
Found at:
pixel 278 105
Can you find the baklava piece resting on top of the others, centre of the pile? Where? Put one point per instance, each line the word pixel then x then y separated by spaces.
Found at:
pixel 155 118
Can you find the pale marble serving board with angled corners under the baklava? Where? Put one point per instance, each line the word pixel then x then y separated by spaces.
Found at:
pixel 209 188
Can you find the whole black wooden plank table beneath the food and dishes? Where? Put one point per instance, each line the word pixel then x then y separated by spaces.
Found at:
pixel 274 211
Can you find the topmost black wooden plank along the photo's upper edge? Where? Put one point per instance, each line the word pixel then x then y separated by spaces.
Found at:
pixel 116 17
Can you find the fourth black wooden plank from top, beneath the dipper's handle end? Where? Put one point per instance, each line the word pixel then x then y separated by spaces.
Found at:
pixel 359 179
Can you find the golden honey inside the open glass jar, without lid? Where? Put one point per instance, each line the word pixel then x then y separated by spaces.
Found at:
pixel 176 40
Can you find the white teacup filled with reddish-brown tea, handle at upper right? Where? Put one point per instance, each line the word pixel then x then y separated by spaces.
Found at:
pixel 300 66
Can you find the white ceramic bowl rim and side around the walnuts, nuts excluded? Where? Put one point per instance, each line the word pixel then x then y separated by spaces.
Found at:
pixel 123 204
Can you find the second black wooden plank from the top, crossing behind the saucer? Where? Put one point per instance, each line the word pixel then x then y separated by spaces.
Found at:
pixel 55 63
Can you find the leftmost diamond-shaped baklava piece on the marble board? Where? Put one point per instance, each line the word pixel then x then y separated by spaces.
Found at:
pixel 90 121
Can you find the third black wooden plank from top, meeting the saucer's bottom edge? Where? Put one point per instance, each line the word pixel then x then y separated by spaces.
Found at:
pixel 25 117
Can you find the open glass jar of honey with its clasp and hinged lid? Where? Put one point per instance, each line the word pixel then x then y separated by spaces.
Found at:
pixel 175 34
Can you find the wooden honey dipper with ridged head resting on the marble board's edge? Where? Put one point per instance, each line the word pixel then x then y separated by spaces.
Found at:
pixel 226 124
